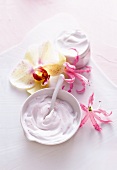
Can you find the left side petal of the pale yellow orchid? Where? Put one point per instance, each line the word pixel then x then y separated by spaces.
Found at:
pixel 21 77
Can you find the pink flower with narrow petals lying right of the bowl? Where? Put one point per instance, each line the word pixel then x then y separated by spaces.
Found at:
pixel 92 114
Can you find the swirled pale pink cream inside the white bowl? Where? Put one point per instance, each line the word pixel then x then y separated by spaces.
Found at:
pixel 49 127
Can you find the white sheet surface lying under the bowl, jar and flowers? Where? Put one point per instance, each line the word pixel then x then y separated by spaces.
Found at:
pixel 87 149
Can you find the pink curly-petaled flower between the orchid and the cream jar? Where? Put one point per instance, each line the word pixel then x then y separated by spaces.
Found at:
pixel 73 73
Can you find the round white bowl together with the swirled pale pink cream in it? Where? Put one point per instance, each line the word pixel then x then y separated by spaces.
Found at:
pixel 50 128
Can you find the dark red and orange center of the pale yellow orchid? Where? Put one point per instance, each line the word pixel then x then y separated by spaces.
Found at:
pixel 41 74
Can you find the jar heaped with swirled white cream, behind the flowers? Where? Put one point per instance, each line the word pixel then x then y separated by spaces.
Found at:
pixel 67 41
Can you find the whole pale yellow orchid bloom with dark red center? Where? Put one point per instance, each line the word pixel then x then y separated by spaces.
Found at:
pixel 34 71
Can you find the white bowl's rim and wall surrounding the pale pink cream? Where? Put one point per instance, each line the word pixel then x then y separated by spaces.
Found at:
pixel 50 140
